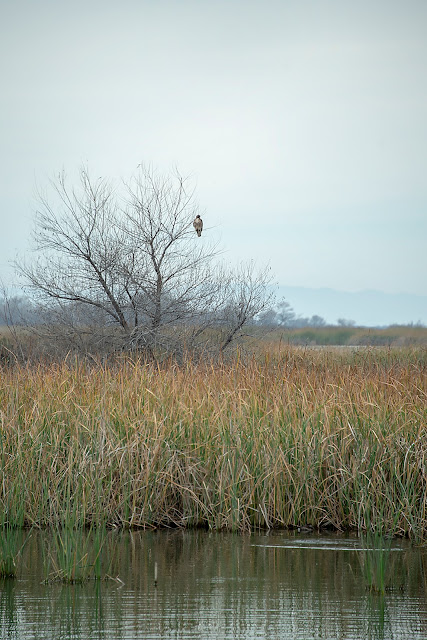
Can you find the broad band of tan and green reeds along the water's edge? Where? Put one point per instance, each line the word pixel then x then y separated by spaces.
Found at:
pixel 288 438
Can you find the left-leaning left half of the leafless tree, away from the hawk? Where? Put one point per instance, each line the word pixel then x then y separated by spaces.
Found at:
pixel 80 249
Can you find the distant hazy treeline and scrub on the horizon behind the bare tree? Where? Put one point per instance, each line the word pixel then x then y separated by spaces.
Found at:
pixel 23 339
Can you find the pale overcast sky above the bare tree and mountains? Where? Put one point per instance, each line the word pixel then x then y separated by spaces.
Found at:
pixel 303 123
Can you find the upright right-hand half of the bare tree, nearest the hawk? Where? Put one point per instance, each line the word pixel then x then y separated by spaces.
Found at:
pixel 177 285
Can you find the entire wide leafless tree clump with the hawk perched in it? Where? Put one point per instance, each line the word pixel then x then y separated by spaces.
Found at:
pixel 128 269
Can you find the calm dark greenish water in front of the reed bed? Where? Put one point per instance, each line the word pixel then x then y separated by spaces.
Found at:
pixel 277 586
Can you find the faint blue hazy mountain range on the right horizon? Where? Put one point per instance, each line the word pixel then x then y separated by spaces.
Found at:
pixel 366 308
